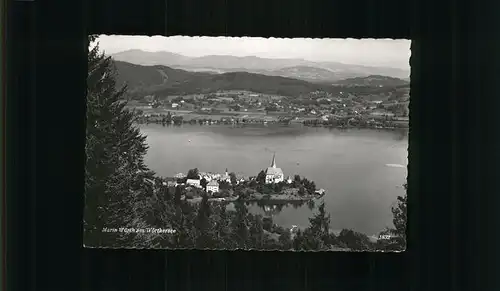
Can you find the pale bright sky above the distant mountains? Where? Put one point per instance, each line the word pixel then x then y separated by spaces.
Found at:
pixel 368 52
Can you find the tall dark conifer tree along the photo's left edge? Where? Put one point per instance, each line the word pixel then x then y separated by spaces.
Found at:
pixel 115 149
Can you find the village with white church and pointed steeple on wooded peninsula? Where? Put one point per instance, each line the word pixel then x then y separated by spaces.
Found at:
pixel 269 185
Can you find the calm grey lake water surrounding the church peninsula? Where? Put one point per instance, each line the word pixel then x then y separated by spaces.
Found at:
pixel 358 168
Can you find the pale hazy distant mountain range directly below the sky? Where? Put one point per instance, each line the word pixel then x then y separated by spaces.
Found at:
pixel 317 72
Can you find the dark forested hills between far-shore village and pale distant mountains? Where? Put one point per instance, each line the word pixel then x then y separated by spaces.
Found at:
pixel 163 81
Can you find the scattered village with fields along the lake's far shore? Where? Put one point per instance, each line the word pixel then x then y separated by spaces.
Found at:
pixel 388 109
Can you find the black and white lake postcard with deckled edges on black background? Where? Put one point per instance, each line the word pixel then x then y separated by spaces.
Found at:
pixel 226 143
